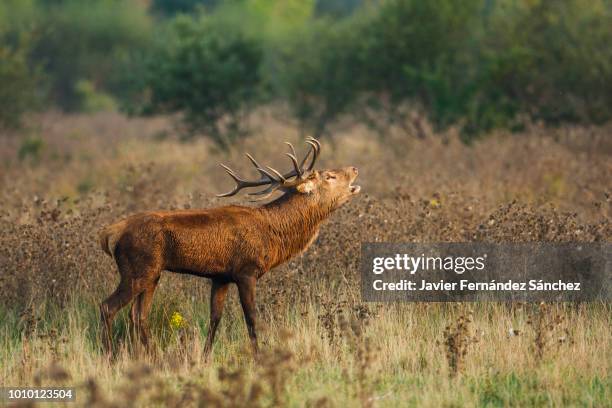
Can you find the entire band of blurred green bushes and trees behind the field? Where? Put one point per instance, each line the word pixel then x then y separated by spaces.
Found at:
pixel 474 64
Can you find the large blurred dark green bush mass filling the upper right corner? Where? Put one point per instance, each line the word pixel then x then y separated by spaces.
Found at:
pixel 493 65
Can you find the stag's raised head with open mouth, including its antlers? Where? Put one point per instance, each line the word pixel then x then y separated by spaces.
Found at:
pixel 333 187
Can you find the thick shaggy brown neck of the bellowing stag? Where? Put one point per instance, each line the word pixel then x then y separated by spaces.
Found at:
pixel 293 221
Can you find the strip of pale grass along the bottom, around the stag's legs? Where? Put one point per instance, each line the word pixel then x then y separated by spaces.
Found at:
pixel 402 360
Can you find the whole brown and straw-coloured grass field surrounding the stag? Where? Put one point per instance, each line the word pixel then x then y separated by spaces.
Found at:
pixel 67 176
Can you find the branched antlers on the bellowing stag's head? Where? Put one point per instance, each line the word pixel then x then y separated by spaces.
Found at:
pixel 271 177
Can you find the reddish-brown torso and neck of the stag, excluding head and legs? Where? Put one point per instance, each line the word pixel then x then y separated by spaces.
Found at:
pixel 218 242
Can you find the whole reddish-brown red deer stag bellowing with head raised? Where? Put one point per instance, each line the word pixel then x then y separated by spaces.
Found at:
pixel 231 244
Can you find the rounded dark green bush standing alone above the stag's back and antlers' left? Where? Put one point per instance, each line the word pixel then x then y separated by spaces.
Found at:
pixel 209 73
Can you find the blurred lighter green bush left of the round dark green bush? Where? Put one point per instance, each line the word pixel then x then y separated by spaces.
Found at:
pixel 88 41
